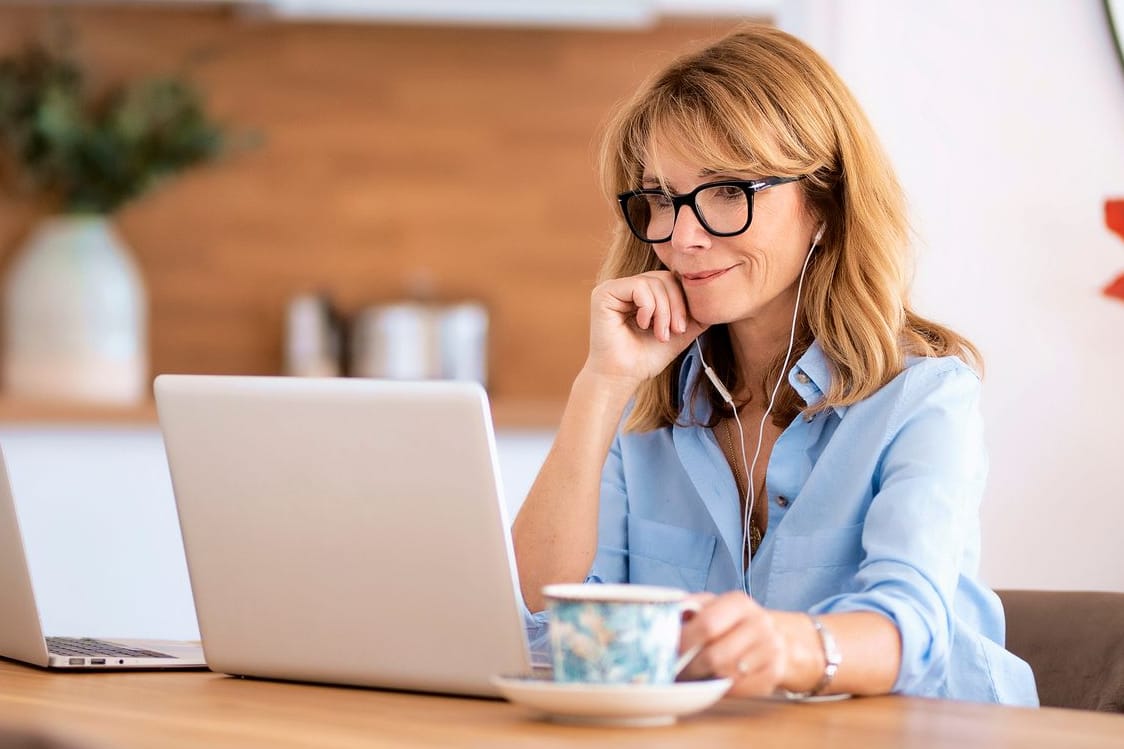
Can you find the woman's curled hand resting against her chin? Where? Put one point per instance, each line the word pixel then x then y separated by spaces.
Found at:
pixel 639 326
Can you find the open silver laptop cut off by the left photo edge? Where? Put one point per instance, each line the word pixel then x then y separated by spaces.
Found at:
pixel 22 630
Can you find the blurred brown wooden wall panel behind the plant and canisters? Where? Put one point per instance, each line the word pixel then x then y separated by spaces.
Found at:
pixel 465 156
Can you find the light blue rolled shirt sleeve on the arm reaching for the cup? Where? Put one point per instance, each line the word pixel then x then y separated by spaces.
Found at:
pixel 930 479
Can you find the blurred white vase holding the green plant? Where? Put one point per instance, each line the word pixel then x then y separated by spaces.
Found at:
pixel 76 317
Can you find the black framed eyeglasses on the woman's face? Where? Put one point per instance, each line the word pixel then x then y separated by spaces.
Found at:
pixel 724 209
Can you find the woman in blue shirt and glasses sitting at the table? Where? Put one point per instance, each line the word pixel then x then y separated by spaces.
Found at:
pixel 763 419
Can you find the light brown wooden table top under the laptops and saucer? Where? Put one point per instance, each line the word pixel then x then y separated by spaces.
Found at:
pixel 201 709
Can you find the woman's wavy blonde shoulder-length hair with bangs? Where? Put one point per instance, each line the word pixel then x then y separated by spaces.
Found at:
pixel 763 102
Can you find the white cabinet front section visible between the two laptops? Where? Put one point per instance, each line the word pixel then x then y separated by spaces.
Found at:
pixel 101 531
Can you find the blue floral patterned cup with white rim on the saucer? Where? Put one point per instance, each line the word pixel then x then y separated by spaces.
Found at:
pixel 617 634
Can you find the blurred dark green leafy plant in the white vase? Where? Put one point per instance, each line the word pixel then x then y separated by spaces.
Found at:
pixel 95 154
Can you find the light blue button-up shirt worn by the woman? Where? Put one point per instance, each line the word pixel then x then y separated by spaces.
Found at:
pixel 873 508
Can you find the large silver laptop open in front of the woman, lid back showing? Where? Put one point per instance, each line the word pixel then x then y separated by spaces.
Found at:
pixel 346 531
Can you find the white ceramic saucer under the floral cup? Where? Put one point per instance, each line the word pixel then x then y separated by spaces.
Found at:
pixel 612 705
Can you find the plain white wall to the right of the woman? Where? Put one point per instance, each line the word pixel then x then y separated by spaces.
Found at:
pixel 1005 121
